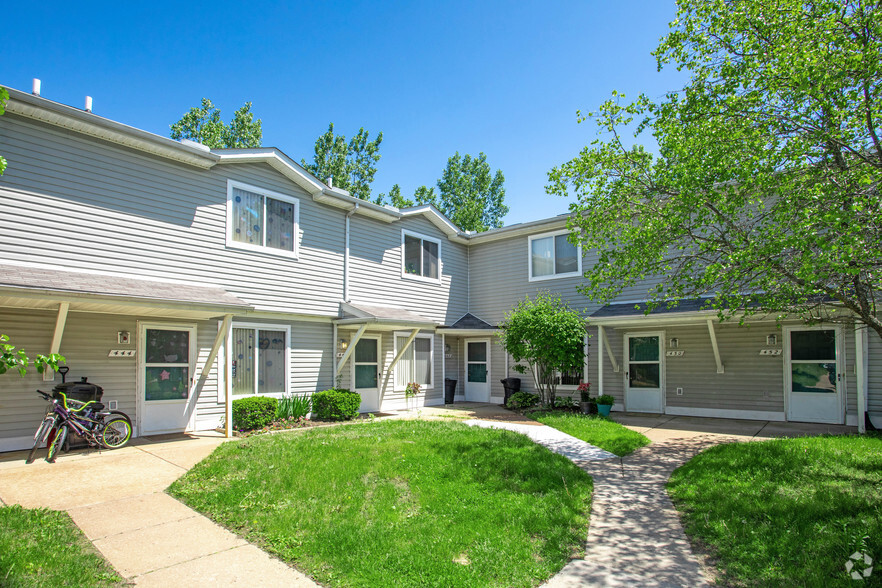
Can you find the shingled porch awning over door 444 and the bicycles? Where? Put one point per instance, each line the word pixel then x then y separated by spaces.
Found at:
pixel 44 288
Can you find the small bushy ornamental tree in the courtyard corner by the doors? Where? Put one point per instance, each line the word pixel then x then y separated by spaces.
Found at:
pixel 546 335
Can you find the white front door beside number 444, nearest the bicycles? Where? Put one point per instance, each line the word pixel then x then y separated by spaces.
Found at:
pixel 167 361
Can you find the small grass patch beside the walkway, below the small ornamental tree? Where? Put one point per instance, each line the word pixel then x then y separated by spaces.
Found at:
pixel 596 430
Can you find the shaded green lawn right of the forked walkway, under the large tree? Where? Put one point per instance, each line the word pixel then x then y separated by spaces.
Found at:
pixel 787 512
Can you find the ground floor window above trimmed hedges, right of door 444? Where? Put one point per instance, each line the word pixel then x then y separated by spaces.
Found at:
pixel 259 359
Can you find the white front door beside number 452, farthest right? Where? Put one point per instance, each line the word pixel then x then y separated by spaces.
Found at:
pixel 812 375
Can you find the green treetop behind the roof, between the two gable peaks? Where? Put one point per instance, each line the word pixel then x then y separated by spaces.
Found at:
pixel 352 165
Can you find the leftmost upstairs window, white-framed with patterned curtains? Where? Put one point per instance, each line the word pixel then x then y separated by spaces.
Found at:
pixel 260 219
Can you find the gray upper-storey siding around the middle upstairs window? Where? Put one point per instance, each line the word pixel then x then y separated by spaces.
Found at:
pixel 375 270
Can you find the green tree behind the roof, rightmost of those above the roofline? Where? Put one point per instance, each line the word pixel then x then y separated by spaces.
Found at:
pixel 469 194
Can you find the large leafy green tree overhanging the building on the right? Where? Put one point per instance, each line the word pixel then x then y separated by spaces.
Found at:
pixel 765 187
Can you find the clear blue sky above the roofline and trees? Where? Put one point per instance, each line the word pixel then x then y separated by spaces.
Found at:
pixel 505 78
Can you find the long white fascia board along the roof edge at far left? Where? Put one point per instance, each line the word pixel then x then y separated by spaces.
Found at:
pixel 87 123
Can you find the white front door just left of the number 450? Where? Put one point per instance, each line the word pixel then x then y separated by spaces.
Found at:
pixel 645 372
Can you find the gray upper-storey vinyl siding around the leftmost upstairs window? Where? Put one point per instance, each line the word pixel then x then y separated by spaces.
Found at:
pixel 107 208
